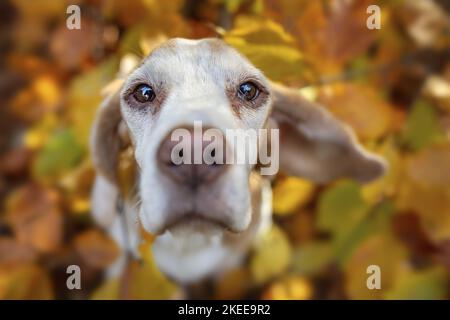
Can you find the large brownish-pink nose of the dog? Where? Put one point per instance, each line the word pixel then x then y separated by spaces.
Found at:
pixel 193 160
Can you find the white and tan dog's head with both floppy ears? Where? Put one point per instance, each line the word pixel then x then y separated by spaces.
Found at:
pixel 185 81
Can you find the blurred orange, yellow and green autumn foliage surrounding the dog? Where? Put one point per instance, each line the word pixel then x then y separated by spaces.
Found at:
pixel 392 86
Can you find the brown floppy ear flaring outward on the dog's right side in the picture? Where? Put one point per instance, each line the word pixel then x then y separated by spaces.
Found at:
pixel 315 145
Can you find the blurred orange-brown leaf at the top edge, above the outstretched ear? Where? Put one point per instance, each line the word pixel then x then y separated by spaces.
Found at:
pixel 330 35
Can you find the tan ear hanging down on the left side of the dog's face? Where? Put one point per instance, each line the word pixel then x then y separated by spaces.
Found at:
pixel 108 136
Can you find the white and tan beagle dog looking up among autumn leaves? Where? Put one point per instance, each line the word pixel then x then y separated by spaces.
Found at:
pixel 205 217
